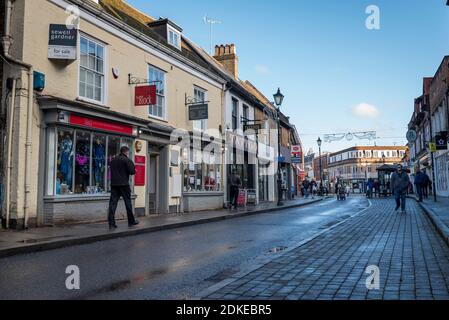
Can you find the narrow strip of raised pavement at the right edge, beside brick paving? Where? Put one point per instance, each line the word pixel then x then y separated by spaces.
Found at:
pixel 438 212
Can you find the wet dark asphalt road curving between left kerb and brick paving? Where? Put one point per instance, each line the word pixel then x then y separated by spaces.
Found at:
pixel 170 264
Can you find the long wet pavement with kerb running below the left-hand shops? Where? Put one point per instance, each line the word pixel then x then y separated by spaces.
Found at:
pixel 47 238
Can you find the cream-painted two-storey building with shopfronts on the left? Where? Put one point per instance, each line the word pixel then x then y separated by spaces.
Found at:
pixel 82 109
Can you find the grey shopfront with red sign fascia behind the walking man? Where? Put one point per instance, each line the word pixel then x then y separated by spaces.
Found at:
pixel 76 150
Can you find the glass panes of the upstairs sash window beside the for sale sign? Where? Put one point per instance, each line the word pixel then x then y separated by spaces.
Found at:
pixel 91 82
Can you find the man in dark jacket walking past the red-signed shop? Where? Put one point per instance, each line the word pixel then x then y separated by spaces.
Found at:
pixel 121 169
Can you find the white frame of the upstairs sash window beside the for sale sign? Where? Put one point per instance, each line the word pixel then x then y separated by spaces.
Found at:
pixel 105 83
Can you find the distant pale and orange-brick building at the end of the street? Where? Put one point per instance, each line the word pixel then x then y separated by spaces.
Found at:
pixel 354 166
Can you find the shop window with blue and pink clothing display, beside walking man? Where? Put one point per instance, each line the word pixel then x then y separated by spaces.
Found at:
pixel 82 161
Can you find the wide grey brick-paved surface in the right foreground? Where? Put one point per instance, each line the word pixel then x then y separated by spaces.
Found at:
pixel 412 257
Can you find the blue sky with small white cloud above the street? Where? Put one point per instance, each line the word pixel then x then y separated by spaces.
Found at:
pixel 324 59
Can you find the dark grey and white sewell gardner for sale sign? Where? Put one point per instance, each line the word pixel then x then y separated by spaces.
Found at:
pixel 62 42
